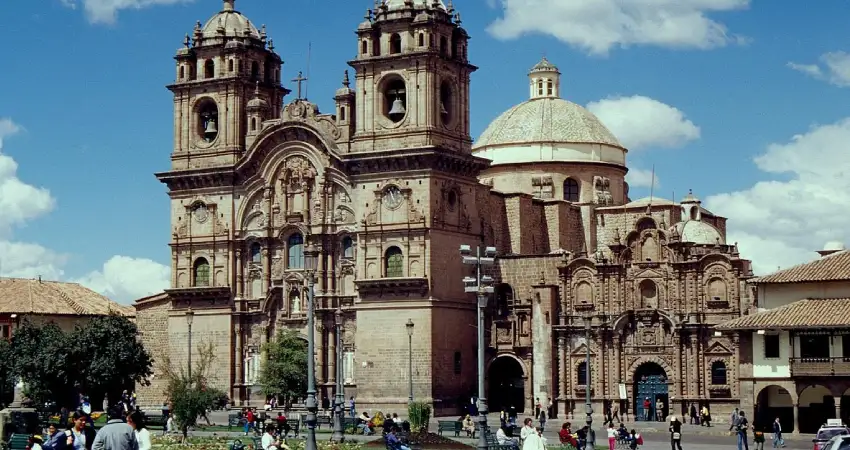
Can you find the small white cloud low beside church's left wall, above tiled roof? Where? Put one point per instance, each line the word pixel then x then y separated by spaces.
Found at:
pixel 126 279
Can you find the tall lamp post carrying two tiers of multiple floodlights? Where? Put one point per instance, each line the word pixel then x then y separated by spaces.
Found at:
pixel 481 285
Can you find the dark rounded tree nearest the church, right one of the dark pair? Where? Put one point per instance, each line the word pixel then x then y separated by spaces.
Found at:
pixel 110 356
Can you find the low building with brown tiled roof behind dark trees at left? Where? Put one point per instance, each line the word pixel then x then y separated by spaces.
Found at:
pixel 40 302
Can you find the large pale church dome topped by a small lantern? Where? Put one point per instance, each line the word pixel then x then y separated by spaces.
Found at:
pixel 548 128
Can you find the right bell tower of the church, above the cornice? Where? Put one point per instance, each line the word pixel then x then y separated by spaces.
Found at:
pixel 412 78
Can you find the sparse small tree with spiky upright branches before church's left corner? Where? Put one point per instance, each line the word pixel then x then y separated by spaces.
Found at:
pixel 191 397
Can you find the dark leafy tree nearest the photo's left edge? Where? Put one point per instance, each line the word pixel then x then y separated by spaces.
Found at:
pixel 43 359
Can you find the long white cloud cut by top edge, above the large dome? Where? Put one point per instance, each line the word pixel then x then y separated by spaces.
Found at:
pixel 597 26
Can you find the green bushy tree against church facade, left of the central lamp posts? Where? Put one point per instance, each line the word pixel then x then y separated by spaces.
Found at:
pixel 284 369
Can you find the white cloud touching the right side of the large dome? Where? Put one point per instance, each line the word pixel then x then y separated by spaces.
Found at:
pixel 641 122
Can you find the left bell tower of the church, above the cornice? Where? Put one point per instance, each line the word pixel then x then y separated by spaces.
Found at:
pixel 223 66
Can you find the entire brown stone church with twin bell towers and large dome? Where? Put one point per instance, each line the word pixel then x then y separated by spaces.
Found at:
pixel 387 188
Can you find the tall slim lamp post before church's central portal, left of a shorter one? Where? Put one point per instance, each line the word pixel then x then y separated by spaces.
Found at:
pixel 311 261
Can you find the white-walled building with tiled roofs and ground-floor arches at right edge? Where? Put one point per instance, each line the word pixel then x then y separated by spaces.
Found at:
pixel 795 349
